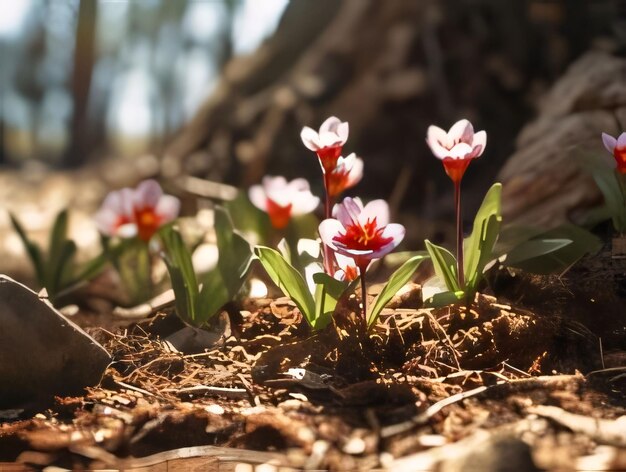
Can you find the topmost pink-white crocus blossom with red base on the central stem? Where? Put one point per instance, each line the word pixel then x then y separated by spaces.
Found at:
pixel 328 142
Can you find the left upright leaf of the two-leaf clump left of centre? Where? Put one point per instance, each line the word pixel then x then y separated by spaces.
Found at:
pixel 177 258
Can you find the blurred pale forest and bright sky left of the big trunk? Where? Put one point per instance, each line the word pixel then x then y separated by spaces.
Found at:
pixel 85 78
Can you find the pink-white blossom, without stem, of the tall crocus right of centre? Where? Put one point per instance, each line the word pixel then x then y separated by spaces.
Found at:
pixel 457 147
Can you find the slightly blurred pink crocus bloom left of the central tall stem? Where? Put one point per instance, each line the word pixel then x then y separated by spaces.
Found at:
pixel 281 199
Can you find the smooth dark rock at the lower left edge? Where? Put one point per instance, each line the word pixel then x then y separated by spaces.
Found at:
pixel 42 353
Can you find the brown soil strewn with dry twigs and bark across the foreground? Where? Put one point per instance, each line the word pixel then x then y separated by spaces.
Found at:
pixel 510 384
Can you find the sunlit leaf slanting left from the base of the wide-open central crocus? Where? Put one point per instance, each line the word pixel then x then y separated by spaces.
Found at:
pixel 288 280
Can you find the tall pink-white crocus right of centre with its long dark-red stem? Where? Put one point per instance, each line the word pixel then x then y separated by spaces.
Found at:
pixel 456 149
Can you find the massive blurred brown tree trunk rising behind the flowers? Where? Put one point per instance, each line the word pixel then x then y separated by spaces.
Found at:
pixel 391 68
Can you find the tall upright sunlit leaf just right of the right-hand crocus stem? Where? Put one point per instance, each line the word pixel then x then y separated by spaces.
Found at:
pixel 479 246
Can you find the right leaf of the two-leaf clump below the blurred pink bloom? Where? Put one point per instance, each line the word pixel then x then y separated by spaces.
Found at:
pixel 235 254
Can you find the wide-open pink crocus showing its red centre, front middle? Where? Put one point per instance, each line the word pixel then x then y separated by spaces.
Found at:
pixel 361 232
